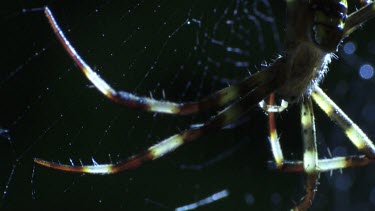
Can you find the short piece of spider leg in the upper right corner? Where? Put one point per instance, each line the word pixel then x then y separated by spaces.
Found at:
pixel 356 19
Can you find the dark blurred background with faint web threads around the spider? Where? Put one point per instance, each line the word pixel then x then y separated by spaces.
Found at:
pixel 149 48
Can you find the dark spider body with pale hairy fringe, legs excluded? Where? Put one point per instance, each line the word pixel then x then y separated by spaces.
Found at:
pixel 314 31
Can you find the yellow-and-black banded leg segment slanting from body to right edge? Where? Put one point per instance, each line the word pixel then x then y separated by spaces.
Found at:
pixel 352 131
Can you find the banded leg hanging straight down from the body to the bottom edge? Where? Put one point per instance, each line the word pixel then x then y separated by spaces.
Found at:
pixel 310 156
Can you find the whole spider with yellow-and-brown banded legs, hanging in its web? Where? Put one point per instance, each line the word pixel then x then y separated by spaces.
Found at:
pixel 315 28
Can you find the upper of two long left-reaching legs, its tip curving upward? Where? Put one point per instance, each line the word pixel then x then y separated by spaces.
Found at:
pixel 217 99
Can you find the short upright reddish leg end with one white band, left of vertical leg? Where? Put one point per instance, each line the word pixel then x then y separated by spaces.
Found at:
pixel 274 139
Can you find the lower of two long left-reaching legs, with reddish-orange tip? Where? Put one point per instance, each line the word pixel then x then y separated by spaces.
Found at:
pixel 226 116
